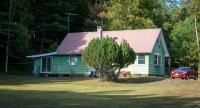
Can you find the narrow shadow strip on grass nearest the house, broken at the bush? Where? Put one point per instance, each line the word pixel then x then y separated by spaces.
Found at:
pixel 8 79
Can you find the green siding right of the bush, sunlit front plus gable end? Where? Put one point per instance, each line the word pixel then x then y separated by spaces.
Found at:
pixel 149 68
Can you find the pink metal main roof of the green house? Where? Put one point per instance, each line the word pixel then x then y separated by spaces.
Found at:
pixel 142 41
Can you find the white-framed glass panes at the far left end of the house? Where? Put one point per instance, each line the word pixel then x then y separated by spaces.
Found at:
pixel 46 64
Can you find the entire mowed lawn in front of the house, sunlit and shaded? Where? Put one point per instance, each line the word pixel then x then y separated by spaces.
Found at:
pixel 53 92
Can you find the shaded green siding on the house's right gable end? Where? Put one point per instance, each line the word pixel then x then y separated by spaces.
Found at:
pixel 153 69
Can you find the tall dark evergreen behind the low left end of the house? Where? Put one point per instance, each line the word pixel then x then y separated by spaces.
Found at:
pixel 51 20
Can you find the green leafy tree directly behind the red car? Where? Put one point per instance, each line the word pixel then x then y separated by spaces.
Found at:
pixel 183 44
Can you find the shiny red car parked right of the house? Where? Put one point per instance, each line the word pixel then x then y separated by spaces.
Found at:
pixel 184 73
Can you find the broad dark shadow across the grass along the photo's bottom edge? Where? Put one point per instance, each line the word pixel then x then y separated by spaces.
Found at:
pixel 67 99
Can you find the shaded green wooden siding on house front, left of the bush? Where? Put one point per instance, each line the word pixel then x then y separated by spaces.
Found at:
pixel 60 65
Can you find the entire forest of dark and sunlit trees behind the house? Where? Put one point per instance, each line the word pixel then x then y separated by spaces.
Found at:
pixel 38 26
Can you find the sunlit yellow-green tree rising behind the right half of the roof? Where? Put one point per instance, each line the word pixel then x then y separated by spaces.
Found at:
pixel 126 15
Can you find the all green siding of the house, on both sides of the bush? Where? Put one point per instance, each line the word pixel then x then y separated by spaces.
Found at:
pixel 61 64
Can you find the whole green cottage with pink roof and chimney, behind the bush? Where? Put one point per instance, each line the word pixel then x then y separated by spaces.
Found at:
pixel 148 44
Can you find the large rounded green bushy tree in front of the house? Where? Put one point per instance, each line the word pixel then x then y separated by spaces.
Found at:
pixel 105 55
